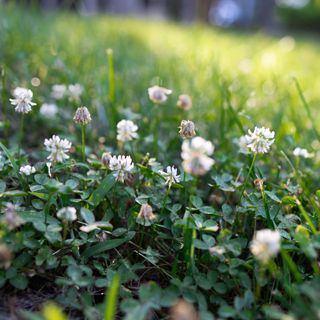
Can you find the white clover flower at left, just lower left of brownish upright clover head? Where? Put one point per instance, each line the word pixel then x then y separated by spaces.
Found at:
pixel 58 148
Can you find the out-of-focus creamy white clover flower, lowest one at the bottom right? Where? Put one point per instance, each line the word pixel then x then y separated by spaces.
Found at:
pixel 265 244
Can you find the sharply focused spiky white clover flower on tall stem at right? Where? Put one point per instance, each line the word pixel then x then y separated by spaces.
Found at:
pixel 260 140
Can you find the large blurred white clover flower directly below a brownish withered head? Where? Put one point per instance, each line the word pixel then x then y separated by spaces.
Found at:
pixel 195 154
